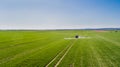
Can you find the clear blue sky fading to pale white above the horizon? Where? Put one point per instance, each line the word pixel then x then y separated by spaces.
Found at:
pixel 59 14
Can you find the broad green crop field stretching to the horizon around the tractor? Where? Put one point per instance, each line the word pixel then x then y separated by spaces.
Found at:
pixel 59 48
